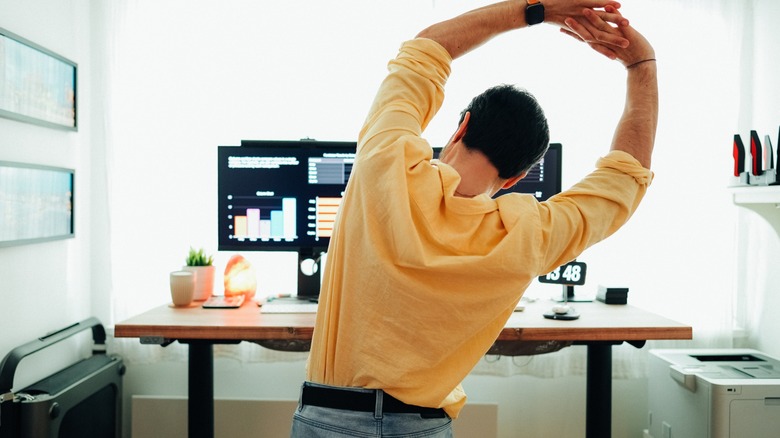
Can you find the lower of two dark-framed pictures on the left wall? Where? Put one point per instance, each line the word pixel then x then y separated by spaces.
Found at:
pixel 36 203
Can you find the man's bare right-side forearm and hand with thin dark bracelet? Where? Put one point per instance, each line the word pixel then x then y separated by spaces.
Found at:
pixel 635 132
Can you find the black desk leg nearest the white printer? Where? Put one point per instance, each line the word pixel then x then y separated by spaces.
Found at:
pixel 598 410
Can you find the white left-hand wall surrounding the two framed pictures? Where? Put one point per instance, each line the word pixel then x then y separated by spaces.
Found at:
pixel 46 286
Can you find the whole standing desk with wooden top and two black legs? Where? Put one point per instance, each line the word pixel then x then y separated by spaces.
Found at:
pixel 600 327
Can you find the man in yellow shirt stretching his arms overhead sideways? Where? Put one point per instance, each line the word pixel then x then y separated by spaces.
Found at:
pixel 424 268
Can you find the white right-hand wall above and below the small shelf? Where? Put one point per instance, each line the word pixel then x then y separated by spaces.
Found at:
pixel 758 228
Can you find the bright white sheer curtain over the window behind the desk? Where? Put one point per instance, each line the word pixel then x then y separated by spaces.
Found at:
pixel 183 77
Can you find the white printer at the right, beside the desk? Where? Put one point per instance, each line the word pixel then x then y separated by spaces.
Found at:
pixel 723 393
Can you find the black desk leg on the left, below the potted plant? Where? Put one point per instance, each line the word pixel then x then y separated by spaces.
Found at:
pixel 200 412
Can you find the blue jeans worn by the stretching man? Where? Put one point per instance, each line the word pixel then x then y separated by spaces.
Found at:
pixel 319 422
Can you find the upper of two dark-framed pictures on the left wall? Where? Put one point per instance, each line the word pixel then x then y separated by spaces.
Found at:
pixel 36 85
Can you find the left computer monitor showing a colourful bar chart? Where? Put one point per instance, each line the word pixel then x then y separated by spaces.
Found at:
pixel 282 196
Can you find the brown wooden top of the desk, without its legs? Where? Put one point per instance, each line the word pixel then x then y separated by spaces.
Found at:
pixel 598 322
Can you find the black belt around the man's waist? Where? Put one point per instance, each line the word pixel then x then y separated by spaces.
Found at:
pixel 335 398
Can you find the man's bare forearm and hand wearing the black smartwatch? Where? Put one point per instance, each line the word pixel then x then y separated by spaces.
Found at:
pixel 468 31
